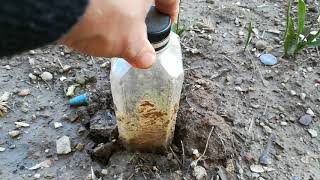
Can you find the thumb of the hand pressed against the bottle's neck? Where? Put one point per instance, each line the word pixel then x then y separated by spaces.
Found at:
pixel 139 52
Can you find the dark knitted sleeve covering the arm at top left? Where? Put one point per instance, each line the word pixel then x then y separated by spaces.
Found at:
pixel 28 24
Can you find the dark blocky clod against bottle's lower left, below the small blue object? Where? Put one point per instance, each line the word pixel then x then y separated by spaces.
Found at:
pixel 103 125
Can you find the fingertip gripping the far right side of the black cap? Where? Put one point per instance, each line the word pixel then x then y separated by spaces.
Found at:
pixel 170 7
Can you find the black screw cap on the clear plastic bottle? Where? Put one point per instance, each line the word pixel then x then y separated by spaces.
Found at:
pixel 158 25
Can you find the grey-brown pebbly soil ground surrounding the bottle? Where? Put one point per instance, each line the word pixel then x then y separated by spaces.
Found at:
pixel 231 105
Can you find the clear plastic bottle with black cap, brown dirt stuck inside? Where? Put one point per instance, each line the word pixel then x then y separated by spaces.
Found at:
pixel 147 100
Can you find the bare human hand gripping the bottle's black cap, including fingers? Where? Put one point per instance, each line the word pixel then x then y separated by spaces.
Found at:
pixel 112 28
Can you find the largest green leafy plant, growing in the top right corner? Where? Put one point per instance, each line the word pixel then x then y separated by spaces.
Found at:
pixel 298 38
